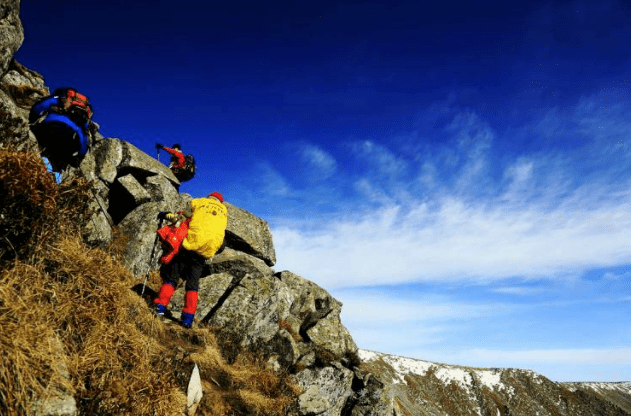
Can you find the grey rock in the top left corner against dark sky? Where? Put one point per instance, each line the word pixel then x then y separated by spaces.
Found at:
pixel 11 33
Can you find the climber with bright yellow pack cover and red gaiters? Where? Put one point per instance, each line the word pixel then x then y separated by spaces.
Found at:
pixel 198 237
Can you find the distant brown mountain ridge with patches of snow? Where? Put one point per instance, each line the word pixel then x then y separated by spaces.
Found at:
pixel 416 387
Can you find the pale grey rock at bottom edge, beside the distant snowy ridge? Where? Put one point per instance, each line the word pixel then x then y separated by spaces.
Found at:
pixel 325 390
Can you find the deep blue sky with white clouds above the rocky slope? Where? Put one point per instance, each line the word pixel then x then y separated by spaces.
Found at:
pixel 457 174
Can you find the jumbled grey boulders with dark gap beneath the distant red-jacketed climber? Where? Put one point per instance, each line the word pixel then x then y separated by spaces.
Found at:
pixel 131 188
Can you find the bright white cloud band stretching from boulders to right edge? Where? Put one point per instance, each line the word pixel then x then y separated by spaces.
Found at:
pixel 461 240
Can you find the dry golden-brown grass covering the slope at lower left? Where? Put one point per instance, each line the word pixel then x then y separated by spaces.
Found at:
pixel 70 321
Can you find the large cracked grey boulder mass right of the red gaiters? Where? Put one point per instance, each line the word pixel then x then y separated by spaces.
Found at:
pixel 292 321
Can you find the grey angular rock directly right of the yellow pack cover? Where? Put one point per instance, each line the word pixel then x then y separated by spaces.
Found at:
pixel 250 234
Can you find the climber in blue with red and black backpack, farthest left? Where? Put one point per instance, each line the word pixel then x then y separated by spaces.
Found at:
pixel 62 124
